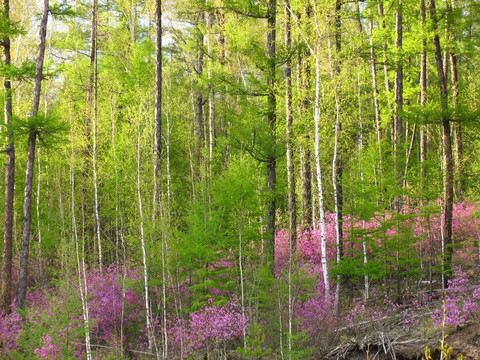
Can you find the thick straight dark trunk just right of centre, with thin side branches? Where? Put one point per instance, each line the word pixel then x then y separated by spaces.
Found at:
pixel 271 121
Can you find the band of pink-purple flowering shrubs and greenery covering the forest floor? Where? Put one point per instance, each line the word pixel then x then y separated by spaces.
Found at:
pixel 52 325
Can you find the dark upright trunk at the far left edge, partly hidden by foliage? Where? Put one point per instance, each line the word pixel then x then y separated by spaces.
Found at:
pixel 6 280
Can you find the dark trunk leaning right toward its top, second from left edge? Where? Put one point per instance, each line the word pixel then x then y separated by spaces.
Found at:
pixel 27 199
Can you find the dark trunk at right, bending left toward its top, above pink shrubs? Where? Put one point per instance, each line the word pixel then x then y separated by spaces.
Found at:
pixel 447 150
